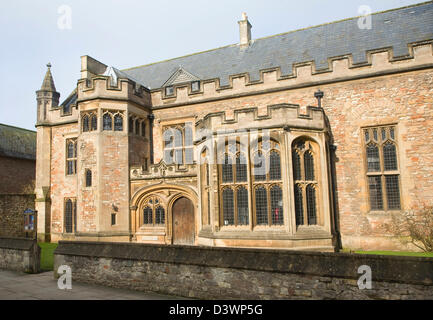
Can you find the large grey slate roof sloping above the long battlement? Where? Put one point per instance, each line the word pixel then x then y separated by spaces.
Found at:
pixel 394 28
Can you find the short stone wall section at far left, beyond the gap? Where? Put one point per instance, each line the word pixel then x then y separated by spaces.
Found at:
pixel 20 255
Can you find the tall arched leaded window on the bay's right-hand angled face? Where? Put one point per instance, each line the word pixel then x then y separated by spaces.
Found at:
pixel 304 157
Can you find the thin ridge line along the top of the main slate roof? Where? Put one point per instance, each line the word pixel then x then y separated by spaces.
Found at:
pixel 279 34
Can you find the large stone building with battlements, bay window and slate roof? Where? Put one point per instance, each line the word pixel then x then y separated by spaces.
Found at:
pixel 309 139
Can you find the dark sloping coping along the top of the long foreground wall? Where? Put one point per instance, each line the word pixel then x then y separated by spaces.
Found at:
pixel 411 270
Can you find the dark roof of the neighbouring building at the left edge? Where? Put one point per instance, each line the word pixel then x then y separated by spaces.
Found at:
pixel 17 142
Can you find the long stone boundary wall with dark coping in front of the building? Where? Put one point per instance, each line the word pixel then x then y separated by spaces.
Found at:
pixel 233 273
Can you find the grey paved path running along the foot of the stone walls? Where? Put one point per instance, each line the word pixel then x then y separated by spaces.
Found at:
pixel 43 286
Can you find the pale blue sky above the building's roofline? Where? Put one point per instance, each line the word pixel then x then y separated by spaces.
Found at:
pixel 129 33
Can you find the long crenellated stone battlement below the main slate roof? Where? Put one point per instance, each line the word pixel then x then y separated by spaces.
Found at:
pixel 380 62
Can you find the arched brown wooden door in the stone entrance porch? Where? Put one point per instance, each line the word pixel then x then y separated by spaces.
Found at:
pixel 183 222
